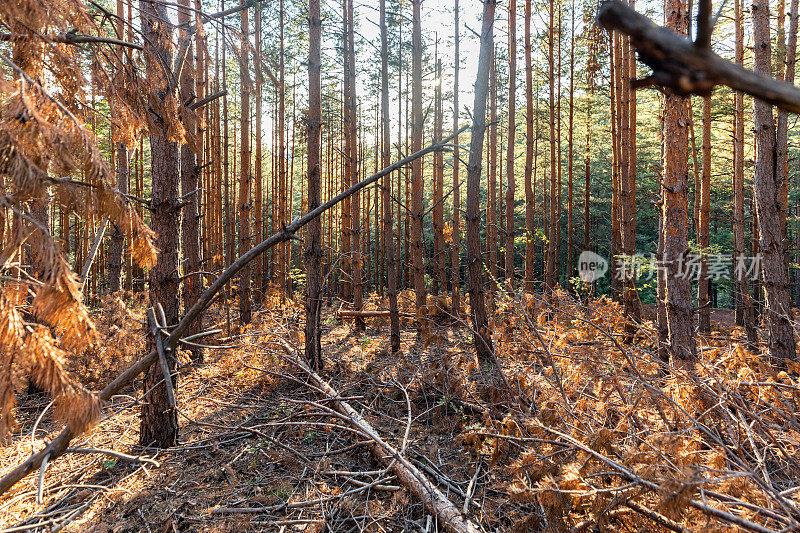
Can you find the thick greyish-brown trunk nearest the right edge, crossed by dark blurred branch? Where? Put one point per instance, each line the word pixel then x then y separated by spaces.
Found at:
pixel 766 192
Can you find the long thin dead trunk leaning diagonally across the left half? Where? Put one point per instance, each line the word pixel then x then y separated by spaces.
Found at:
pixel 60 443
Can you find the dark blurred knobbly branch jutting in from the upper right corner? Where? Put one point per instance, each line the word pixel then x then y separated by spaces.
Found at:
pixel 690 68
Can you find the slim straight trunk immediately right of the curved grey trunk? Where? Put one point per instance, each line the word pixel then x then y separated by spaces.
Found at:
pixel 512 138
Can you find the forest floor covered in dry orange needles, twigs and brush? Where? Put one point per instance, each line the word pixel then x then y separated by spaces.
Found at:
pixel 590 434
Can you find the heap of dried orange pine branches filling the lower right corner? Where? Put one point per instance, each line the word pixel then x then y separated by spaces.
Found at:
pixel 611 423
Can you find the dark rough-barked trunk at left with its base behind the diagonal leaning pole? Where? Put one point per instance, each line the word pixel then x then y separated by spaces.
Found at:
pixel 159 421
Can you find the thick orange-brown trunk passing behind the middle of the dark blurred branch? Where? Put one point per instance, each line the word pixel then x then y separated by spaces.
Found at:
pixel 679 312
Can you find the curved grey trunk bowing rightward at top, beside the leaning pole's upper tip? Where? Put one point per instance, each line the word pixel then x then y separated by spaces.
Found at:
pixel 483 337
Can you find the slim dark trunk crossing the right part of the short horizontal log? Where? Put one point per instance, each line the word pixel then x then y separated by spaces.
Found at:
pixel 388 223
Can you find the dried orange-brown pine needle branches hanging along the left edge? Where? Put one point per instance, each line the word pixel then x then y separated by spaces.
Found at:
pixel 49 154
